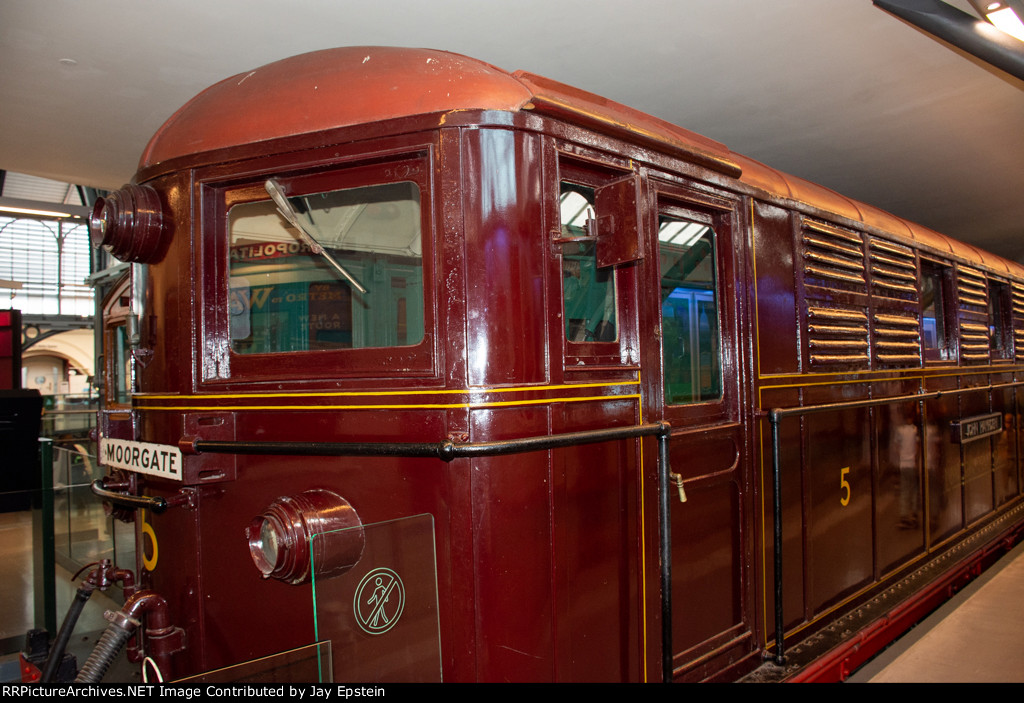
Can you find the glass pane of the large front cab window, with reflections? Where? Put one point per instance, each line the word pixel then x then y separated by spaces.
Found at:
pixel 286 298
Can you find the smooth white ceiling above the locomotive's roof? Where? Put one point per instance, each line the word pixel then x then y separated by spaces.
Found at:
pixel 836 92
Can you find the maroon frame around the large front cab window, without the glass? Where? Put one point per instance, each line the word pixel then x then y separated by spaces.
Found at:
pixel 220 192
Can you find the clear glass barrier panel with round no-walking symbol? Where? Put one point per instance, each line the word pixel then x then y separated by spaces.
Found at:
pixel 381 616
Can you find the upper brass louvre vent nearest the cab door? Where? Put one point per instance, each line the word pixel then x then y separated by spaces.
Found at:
pixel 834 258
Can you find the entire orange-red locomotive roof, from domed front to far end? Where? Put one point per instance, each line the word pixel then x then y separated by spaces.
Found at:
pixel 350 86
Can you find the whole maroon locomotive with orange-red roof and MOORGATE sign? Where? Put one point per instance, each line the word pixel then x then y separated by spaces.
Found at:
pixel 415 350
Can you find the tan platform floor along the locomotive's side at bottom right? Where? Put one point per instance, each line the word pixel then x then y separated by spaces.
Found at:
pixel 977 637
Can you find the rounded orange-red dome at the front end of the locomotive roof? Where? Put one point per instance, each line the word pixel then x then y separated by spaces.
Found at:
pixel 332 89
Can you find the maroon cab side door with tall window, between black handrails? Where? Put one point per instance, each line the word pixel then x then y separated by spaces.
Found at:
pixel 699 393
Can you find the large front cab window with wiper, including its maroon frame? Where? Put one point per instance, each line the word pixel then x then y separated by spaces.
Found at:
pixel 327 268
